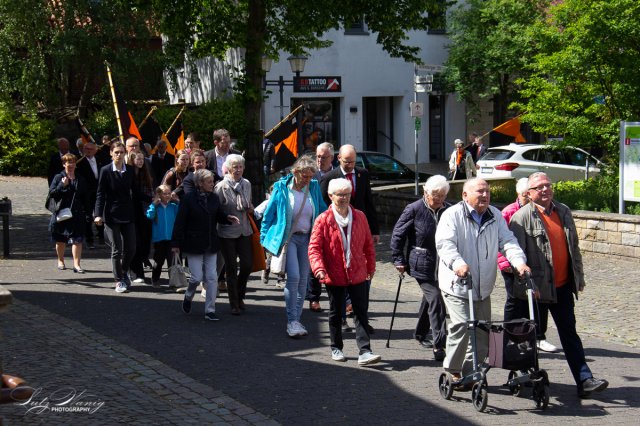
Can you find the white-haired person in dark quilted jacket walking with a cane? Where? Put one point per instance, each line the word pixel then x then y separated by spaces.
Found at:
pixel 416 229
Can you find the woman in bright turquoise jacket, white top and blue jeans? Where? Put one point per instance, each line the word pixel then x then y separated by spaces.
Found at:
pixel 295 203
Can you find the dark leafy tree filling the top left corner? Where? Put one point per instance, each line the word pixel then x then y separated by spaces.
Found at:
pixel 53 51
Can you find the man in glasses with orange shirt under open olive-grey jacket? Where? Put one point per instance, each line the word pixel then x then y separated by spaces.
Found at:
pixel 547 233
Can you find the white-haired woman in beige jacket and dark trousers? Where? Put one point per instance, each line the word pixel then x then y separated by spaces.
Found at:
pixel 234 193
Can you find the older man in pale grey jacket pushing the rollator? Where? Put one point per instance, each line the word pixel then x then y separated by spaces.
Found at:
pixel 468 238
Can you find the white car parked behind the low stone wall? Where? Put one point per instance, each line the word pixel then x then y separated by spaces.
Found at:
pixel 520 160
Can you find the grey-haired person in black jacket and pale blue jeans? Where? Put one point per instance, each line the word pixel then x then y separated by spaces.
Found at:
pixel 195 233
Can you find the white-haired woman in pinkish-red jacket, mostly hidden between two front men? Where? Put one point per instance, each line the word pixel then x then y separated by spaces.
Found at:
pixel 515 308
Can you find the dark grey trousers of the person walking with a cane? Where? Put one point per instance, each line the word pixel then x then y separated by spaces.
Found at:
pixel 431 316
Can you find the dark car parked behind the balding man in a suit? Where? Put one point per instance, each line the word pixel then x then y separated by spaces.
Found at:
pixel 386 170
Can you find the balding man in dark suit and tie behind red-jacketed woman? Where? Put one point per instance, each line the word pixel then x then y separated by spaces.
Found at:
pixel 361 197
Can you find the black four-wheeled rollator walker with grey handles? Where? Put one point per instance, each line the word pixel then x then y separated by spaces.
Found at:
pixel 512 346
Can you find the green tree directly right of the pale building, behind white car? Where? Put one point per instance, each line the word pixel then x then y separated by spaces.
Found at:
pixel 489 50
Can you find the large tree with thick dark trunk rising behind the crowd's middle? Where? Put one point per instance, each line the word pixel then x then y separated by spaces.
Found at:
pixel 197 28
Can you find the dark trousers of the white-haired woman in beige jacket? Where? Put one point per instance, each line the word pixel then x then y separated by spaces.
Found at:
pixel 232 249
